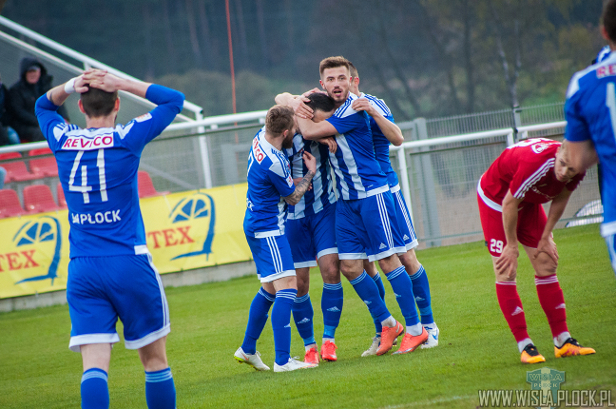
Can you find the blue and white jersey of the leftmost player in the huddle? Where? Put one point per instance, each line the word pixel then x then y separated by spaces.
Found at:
pixel 269 180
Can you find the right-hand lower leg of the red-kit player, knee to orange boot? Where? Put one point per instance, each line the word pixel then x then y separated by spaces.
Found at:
pixel 552 301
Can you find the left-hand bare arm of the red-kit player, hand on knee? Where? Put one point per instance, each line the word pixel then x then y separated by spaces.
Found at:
pixel 507 263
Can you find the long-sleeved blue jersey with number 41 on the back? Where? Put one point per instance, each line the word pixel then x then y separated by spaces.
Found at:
pixel 98 170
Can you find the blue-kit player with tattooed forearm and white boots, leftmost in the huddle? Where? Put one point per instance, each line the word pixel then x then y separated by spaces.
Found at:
pixel 270 189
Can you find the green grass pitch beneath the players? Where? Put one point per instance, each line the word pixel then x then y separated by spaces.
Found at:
pixel 476 349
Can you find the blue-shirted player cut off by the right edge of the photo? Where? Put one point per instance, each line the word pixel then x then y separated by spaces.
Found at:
pixel 590 111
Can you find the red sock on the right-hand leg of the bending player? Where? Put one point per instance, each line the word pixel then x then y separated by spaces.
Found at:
pixel 553 303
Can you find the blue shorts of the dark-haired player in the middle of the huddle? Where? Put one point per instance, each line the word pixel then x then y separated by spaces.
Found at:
pixel 312 237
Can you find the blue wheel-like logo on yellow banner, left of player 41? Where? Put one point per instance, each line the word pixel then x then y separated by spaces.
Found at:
pixel 40 243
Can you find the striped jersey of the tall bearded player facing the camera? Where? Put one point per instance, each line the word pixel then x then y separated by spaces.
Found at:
pixel 358 173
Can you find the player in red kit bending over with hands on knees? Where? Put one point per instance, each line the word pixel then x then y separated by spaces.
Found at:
pixel 510 195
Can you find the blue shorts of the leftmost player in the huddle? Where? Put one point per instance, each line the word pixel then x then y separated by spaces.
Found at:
pixel 272 256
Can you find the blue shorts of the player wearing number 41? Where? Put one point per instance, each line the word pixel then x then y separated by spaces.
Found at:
pixel 102 289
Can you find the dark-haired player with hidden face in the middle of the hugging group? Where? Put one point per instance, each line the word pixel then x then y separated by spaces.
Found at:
pixel 311 233
